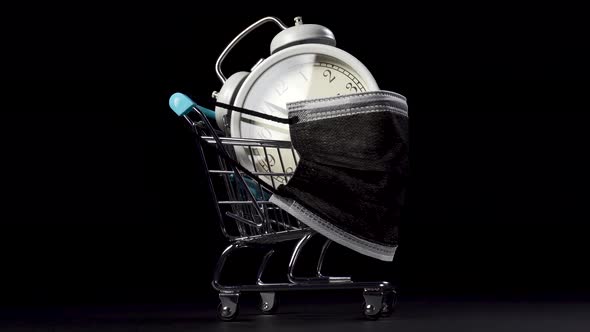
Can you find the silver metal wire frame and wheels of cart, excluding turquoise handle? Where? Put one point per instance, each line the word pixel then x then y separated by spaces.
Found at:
pixel 379 297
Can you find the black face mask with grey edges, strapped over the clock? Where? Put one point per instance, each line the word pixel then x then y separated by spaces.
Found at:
pixel 353 170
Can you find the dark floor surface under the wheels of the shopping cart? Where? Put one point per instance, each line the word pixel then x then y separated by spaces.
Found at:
pixel 325 316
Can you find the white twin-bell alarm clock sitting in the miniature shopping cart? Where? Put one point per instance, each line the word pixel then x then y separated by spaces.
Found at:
pixel 304 63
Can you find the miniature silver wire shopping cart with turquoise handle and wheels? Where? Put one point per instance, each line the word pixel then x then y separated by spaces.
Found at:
pixel 249 220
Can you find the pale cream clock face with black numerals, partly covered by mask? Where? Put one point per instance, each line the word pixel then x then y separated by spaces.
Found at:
pixel 295 78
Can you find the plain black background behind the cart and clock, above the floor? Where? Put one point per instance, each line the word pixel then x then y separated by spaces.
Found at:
pixel 104 201
